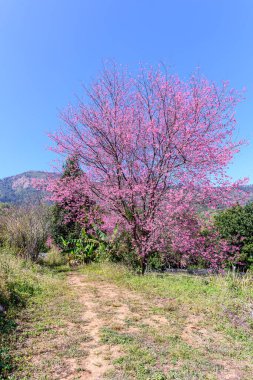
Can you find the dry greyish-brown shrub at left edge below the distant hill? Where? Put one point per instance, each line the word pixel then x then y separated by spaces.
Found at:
pixel 24 230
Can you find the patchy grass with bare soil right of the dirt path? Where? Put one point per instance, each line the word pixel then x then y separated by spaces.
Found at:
pixel 201 326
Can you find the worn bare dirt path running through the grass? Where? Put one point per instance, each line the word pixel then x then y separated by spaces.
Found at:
pixel 104 306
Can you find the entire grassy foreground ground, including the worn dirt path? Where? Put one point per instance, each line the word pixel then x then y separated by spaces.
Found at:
pixel 152 327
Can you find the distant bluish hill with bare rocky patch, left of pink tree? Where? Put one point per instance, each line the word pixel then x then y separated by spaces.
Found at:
pixel 18 189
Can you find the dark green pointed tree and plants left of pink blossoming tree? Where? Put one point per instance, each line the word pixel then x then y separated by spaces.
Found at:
pixel 67 229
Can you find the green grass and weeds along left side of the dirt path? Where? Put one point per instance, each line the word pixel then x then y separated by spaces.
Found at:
pixel 35 301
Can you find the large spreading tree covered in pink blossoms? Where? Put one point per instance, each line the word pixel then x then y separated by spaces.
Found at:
pixel 154 149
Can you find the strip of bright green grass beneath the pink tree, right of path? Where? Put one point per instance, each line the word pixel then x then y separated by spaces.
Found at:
pixel 207 294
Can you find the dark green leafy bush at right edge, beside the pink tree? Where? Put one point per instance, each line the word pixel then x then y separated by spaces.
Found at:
pixel 236 225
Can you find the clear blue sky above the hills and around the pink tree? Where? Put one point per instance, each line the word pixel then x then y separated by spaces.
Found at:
pixel 48 48
